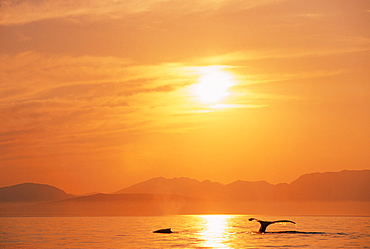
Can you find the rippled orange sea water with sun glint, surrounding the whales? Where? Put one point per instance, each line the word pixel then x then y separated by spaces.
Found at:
pixel 190 231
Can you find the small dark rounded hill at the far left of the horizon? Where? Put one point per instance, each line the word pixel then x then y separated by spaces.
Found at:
pixel 32 192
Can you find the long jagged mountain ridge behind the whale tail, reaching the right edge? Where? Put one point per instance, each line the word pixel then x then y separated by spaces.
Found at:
pixel 332 186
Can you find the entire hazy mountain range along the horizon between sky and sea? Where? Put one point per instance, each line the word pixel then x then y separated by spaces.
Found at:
pixel 343 192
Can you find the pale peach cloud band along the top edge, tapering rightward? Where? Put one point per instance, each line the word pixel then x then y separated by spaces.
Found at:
pixel 21 12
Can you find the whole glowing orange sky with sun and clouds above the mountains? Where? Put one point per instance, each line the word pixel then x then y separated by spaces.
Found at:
pixel 99 95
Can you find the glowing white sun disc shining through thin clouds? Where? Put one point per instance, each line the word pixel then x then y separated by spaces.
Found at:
pixel 213 84
